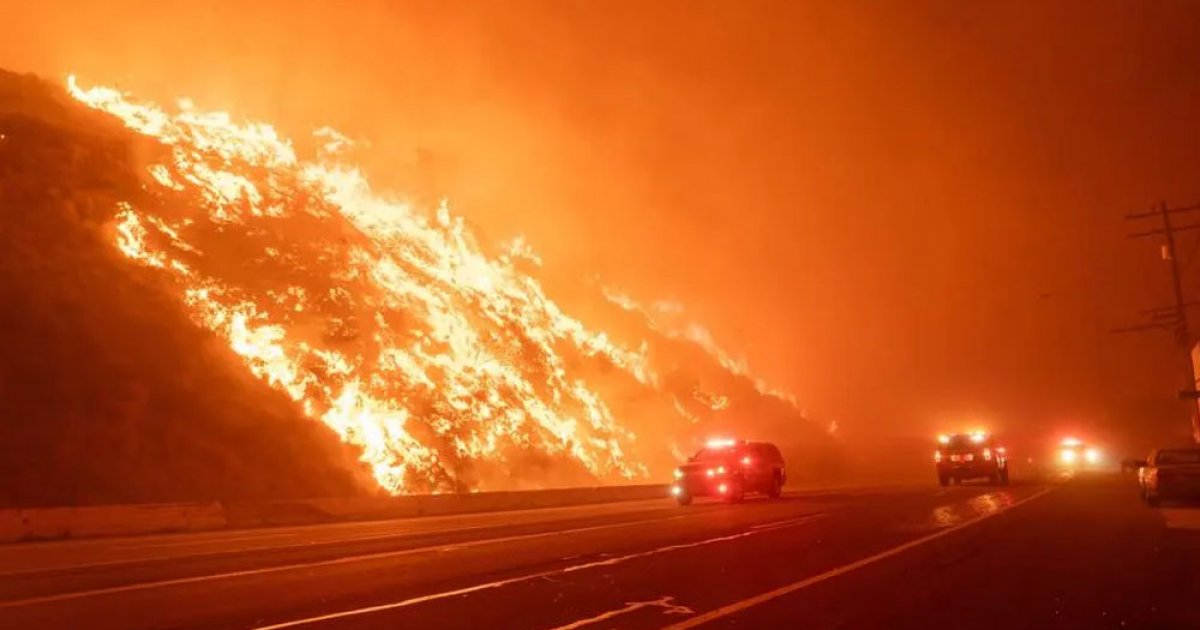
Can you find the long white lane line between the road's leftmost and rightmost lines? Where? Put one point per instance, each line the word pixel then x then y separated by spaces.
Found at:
pixel 499 584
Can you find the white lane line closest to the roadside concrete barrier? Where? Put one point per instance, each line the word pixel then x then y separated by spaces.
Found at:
pixel 349 560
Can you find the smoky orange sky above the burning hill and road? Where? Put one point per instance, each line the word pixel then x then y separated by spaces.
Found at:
pixel 907 213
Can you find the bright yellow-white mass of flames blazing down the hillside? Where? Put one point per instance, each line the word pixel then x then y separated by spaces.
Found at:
pixel 387 323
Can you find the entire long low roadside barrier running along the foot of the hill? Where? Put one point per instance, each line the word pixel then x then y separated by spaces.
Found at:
pixel 47 524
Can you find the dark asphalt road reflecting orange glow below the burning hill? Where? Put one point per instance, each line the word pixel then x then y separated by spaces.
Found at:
pixel 1082 555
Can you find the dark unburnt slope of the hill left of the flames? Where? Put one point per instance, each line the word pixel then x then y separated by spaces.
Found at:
pixel 109 393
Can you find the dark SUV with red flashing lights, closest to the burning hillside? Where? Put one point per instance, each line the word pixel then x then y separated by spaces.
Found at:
pixel 730 470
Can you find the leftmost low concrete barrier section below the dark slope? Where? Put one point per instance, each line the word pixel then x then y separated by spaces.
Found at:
pixel 45 524
